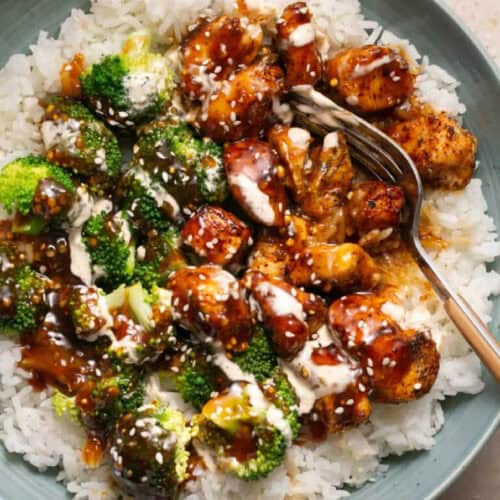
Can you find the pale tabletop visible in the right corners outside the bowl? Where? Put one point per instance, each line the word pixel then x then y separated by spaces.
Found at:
pixel 481 480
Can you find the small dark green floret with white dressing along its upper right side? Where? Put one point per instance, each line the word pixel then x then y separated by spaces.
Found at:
pixel 146 199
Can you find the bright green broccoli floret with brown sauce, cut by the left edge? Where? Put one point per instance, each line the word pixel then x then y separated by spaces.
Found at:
pixel 37 191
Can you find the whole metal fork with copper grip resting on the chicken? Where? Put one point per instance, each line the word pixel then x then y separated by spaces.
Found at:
pixel 387 161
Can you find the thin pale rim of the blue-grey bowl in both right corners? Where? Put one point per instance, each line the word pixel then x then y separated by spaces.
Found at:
pixel 495 69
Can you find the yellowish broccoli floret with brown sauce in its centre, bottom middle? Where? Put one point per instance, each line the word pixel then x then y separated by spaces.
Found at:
pixel 241 414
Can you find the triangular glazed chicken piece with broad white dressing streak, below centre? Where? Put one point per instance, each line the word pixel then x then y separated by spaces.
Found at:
pixel 289 313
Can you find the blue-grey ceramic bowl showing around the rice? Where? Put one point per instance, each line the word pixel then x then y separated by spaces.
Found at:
pixel 431 27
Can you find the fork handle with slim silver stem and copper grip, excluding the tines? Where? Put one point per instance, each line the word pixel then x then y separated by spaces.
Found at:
pixel 475 331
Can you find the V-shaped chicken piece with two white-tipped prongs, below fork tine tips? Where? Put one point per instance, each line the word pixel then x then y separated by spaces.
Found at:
pixel 319 180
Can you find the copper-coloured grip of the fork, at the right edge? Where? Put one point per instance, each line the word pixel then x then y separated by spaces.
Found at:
pixel 475 332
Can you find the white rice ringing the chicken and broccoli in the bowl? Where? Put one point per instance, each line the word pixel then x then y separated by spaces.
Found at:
pixel 315 471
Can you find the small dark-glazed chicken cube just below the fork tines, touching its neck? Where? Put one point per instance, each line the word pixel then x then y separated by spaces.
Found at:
pixel 374 212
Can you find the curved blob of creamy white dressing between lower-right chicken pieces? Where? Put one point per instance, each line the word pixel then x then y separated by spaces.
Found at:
pixel 323 379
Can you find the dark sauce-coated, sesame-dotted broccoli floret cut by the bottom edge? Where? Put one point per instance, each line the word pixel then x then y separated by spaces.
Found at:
pixel 150 452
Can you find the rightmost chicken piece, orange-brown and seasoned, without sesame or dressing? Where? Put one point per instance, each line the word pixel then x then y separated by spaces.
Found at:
pixel 444 153
